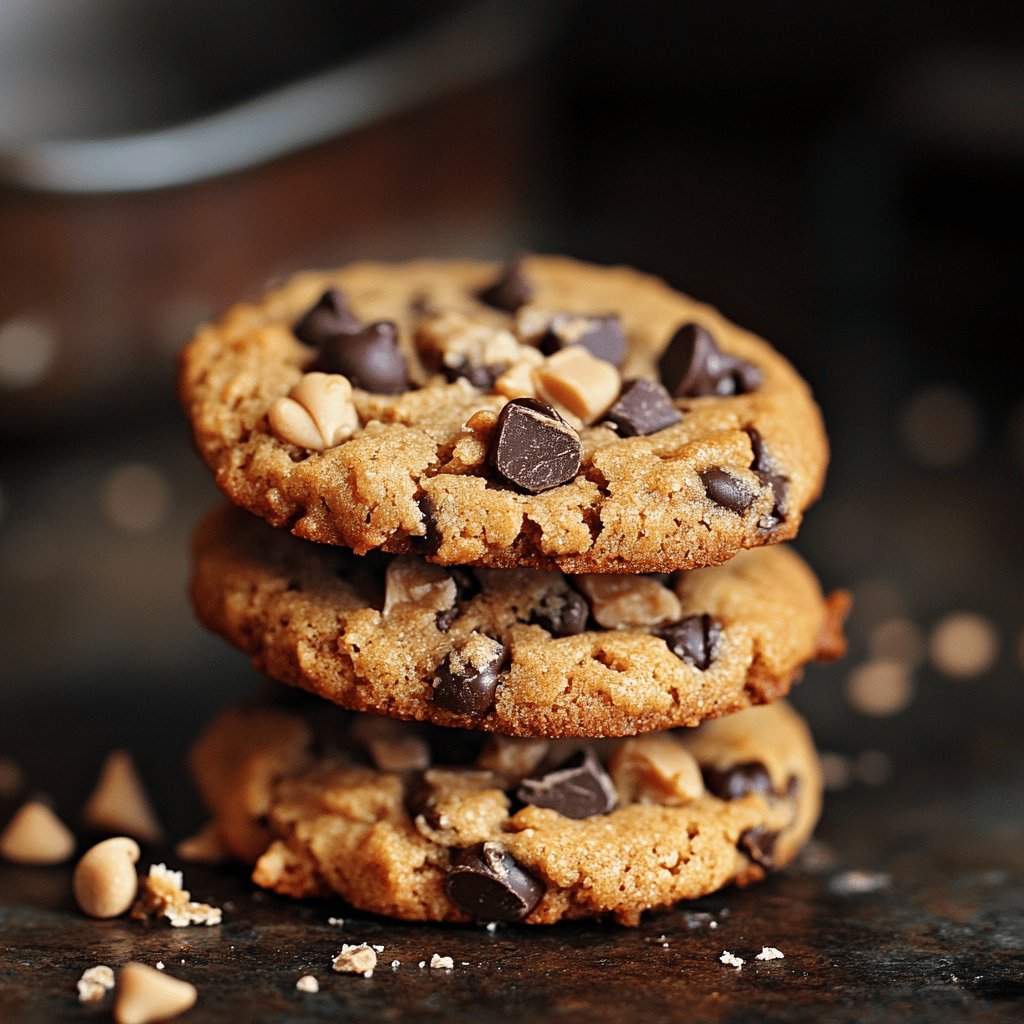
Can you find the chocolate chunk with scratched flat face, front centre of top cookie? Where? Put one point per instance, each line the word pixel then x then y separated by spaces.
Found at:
pixel 534 448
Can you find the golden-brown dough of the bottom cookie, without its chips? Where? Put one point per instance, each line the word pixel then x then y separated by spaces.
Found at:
pixel 338 827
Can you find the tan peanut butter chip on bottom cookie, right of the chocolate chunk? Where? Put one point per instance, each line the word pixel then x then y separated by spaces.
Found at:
pixel 656 771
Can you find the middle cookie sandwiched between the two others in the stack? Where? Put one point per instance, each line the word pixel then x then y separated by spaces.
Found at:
pixel 519 652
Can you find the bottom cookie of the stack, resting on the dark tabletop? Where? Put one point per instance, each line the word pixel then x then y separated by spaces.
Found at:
pixel 434 825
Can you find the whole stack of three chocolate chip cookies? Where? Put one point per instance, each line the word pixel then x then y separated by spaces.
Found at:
pixel 517 532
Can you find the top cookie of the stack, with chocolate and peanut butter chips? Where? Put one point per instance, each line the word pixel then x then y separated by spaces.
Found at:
pixel 550 414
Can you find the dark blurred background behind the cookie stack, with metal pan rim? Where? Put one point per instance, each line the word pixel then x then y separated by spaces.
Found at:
pixel 843 179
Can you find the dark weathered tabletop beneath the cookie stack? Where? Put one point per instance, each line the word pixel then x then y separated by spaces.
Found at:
pixel 942 942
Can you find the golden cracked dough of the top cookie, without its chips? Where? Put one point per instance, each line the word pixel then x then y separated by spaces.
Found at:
pixel 638 503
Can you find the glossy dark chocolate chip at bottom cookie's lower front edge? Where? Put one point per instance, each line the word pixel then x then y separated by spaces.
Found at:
pixel 490 884
